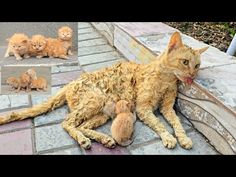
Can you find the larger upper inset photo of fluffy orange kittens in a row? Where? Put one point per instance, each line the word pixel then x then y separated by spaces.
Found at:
pixel 38 43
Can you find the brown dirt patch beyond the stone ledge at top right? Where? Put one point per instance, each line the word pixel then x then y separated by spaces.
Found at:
pixel 216 34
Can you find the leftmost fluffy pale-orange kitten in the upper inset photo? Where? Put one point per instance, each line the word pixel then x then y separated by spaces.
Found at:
pixel 18 45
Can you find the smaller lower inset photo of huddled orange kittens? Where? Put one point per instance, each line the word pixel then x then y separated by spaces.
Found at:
pixel 25 80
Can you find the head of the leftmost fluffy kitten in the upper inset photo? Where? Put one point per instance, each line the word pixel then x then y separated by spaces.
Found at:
pixel 19 42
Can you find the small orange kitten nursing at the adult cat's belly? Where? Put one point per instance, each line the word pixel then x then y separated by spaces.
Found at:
pixel 123 125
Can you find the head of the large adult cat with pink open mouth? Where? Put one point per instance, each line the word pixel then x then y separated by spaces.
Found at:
pixel 183 61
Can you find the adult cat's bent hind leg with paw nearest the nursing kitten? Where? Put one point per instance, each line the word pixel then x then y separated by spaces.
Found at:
pixel 96 121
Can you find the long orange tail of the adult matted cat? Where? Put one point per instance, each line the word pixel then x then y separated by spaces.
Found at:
pixel 53 102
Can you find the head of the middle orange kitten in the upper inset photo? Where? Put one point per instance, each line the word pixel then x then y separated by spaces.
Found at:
pixel 38 43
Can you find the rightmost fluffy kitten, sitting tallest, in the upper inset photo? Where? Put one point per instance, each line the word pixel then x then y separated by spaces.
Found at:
pixel 65 34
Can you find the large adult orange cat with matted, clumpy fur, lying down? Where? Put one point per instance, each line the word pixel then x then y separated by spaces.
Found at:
pixel 150 86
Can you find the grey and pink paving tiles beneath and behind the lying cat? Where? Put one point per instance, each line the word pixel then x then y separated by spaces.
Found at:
pixel 44 134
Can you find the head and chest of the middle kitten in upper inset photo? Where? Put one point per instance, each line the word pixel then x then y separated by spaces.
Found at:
pixel 38 44
